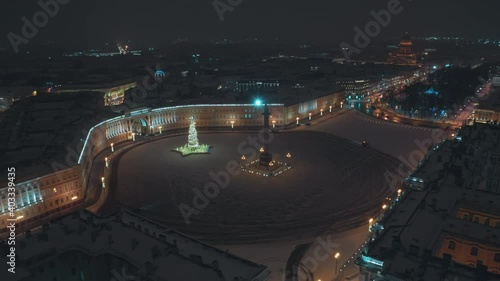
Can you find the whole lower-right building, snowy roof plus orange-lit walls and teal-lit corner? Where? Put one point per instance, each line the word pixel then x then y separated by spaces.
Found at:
pixel 449 229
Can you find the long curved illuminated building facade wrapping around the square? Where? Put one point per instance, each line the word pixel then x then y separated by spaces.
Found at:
pixel 44 198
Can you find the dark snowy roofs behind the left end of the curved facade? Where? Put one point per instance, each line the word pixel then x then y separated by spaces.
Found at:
pixel 42 130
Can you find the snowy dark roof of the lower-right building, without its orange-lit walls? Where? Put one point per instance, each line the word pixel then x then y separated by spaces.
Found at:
pixel 450 184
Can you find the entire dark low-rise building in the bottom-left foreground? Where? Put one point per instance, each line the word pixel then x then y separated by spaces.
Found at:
pixel 125 246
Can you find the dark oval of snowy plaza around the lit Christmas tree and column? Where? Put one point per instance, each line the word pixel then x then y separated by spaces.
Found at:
pixel 334 185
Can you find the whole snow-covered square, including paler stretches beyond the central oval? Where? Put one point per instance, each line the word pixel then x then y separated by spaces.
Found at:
pixel 333 187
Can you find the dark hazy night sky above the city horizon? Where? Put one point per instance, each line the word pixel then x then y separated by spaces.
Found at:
pixel 90 23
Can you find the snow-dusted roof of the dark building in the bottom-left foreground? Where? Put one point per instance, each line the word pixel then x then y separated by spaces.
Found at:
pixel 139 241
